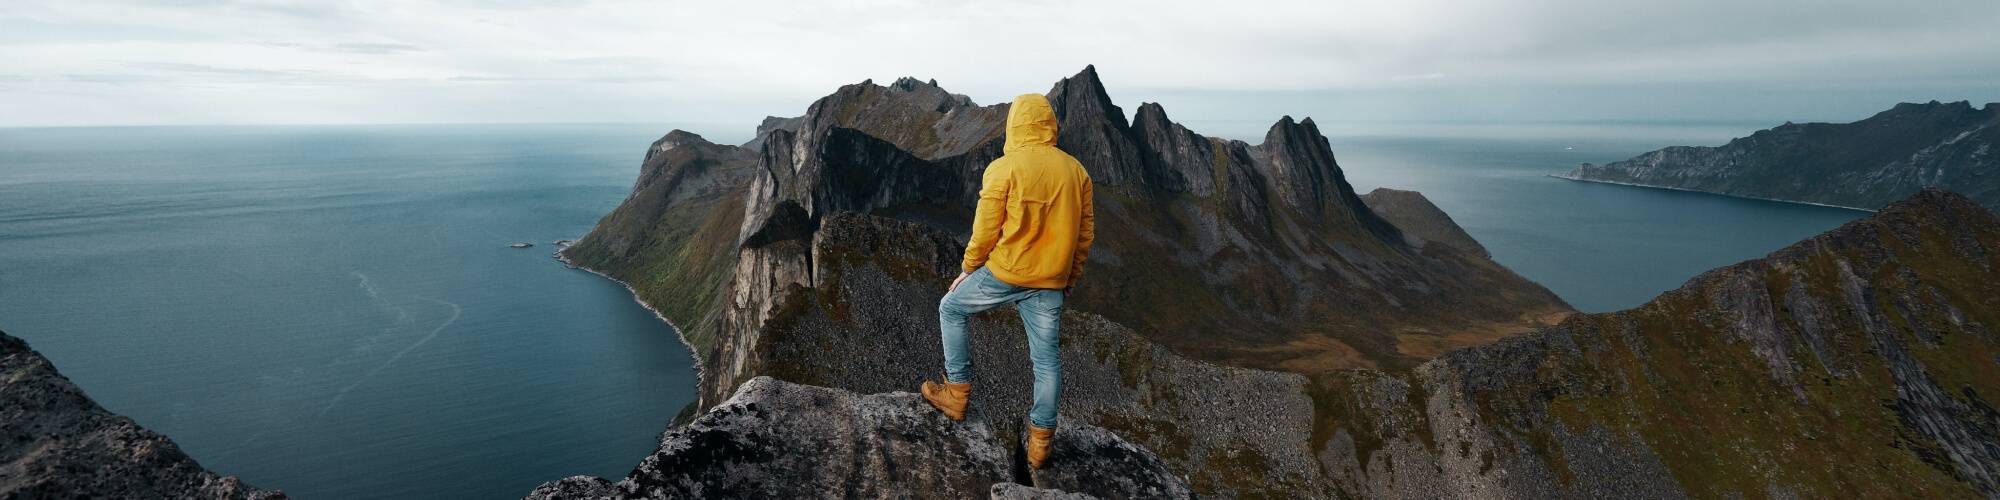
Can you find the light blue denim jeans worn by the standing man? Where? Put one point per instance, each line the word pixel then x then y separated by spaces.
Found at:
pixel 1041 313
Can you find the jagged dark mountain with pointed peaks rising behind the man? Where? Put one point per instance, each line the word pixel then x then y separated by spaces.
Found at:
pixel 1299 273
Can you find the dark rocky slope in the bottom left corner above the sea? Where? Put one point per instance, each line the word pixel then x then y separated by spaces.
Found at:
pixel 57 443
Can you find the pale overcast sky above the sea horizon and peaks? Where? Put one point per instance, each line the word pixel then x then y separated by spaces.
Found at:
pixel 733 63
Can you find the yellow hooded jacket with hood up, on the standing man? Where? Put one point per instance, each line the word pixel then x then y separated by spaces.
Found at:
pixel 1035 221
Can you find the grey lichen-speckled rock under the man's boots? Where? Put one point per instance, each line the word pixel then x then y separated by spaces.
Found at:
pixel 789 441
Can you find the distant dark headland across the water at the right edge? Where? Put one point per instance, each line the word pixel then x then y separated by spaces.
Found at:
pixel 1861 165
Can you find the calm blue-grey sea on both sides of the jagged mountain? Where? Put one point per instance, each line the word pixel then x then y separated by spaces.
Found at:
pixel 333 311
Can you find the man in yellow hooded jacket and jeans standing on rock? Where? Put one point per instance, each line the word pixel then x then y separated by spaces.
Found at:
pixel 1029 241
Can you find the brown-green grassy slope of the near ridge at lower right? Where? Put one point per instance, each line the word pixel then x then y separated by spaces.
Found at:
pixel 1675 379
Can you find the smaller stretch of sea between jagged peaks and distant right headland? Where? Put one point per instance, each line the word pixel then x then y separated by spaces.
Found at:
pixel 1599 247
